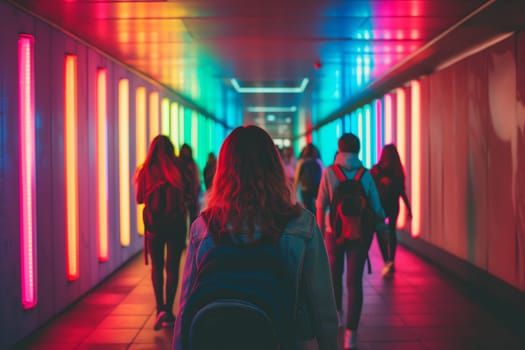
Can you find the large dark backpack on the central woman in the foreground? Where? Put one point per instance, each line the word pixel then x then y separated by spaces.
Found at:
pixel 244 290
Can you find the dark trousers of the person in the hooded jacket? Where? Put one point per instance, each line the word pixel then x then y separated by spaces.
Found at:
pixel 356 254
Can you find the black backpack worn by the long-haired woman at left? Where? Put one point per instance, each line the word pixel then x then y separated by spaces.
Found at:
pixel 164 210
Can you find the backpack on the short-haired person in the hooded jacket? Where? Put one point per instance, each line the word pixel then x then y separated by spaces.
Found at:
pixel 349 213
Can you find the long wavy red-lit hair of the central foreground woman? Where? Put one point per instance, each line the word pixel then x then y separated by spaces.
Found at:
pixel 249 189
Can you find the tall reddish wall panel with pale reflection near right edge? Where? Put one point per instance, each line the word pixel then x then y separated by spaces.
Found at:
pixel 502 162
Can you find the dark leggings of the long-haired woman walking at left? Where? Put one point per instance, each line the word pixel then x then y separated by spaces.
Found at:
pixel 174 250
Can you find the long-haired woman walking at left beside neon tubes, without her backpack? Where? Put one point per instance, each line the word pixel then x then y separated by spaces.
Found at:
pixel 161 167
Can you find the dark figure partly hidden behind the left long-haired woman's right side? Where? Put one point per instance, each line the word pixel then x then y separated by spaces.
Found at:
pixel 192 178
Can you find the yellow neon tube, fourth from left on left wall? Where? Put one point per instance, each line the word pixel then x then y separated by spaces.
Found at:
pixel 124 172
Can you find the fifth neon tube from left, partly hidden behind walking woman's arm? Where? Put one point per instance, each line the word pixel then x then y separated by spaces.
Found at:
pixel 140 142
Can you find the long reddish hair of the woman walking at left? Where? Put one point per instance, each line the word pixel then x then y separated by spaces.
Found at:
pixel 160 163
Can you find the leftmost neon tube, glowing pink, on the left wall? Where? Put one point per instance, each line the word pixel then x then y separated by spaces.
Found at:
pixel 27 168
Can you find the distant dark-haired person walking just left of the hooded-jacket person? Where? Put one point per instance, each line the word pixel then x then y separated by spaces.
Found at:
pixel 308 175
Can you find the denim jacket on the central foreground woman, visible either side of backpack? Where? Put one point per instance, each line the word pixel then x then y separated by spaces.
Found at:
pixel 302 245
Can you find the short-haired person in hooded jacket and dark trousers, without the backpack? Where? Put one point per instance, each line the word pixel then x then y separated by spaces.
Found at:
pixel 356 251
